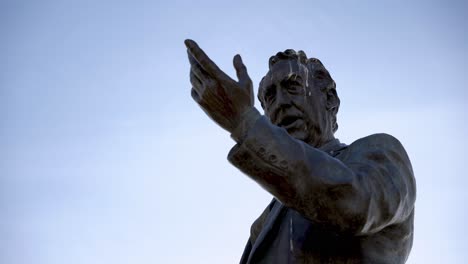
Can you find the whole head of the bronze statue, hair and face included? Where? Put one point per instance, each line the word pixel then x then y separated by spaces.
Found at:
pixel 299 95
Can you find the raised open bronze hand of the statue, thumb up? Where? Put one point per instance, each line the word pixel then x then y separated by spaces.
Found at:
pixel 223 99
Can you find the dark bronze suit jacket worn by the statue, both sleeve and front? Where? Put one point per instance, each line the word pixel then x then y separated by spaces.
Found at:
pixel 337 204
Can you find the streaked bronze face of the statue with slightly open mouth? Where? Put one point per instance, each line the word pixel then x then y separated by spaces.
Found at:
pixel 294 101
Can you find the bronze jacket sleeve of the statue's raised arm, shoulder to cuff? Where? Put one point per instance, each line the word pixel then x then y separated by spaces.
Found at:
pixel 364 189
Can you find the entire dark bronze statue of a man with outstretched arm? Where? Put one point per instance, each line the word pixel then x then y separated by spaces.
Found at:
pixel 333 203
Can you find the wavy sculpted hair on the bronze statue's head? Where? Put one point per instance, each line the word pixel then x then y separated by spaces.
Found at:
pixel 315 68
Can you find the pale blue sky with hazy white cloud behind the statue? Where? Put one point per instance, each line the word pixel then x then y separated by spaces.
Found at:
pixel 105 158
